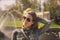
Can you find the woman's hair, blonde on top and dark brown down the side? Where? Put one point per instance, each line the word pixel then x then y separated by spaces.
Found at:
pixel 34 17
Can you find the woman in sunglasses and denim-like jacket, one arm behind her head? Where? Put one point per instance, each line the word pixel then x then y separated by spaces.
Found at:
pixel 30 29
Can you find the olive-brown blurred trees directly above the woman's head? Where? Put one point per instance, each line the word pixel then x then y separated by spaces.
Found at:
pixel 30 4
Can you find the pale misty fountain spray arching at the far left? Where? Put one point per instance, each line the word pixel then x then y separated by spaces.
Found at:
pixel 7 29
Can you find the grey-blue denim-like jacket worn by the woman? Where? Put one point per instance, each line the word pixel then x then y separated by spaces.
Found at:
pixel 32 34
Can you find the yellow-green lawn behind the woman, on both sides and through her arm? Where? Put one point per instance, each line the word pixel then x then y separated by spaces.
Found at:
pixel 19 23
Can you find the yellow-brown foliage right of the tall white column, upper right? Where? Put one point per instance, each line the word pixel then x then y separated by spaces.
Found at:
pixel 51 5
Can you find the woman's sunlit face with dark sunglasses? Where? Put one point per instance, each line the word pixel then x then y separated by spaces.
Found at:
pixel 27 20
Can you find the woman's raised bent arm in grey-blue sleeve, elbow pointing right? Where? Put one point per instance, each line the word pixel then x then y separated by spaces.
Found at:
pixel 46 24
